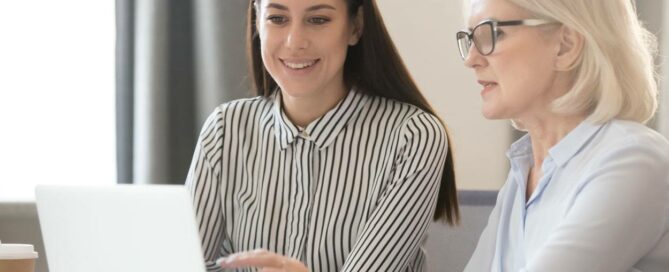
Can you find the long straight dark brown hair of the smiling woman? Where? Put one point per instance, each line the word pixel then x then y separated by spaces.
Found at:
pixel 374 67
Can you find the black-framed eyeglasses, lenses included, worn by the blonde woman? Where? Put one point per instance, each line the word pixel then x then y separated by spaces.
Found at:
pixel 484 35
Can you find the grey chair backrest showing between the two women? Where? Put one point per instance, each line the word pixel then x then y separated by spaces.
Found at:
pixel 449 248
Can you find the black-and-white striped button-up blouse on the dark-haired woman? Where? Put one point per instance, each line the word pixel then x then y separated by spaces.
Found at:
pixel 353 191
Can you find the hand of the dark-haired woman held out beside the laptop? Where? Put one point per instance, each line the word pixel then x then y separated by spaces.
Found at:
pixel 264 260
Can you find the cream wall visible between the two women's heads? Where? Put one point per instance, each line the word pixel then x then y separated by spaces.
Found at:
pixel 424 32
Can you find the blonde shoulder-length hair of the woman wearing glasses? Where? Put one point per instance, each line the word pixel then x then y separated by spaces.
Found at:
pixel 615 75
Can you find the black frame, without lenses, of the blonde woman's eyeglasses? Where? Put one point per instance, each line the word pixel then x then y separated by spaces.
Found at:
pixel 469 35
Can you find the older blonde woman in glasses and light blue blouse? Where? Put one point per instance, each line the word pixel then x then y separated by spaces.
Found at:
pixel 588 188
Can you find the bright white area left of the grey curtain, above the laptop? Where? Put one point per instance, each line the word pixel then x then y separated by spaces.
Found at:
pixel 56 95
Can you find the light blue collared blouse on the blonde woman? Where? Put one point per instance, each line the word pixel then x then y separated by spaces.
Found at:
pixel 601 205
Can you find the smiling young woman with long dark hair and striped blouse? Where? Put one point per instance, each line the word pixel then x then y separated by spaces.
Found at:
pixel 338 165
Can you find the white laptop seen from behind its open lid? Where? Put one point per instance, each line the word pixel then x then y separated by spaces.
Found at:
pixel 129 228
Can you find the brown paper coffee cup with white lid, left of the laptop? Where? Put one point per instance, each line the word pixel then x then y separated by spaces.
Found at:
pixel 17 258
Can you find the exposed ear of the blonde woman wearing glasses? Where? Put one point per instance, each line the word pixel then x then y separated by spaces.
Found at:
pixel 570 49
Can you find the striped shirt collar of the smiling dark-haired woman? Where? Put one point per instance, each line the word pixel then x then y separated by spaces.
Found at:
pixel 323 130
